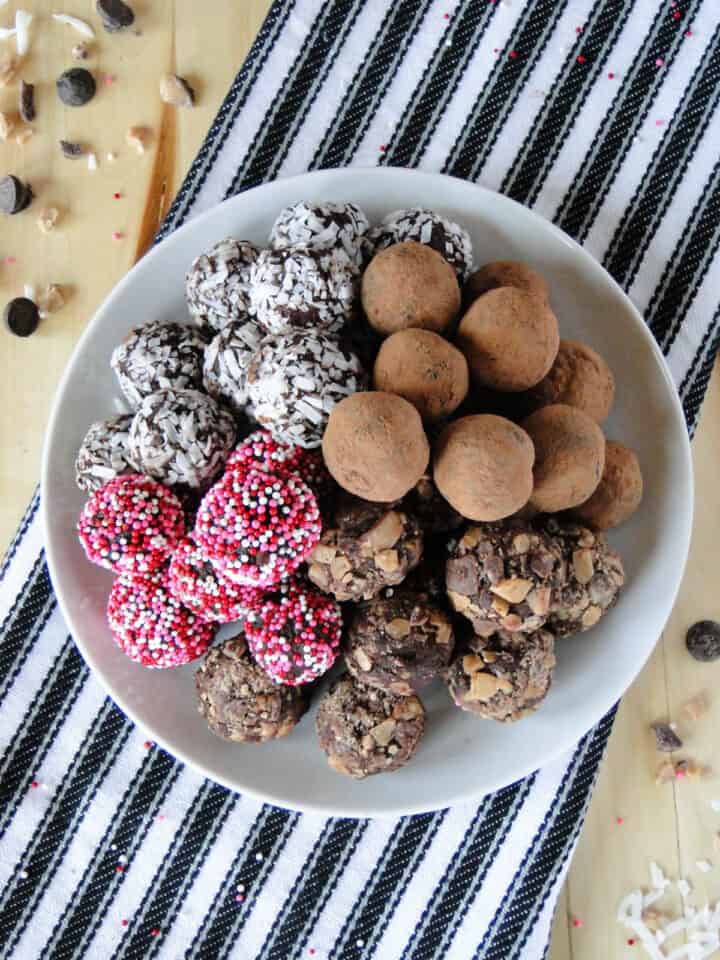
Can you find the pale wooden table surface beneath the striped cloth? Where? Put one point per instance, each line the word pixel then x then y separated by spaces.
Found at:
pixel 673 824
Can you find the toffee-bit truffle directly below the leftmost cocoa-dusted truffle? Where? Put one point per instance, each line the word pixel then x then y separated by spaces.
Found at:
pixel 374 547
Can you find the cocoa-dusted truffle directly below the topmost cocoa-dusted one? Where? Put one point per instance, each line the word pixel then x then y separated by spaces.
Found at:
pixel 424 368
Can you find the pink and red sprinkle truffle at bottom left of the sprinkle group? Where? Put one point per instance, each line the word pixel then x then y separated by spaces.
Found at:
pixel 151 626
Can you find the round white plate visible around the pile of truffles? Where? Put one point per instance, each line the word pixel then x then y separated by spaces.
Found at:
pixel 461 757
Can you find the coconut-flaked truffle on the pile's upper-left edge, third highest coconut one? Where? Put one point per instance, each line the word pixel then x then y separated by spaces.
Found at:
pixel 217 286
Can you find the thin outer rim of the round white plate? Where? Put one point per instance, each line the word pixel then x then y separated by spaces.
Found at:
pixel 363 809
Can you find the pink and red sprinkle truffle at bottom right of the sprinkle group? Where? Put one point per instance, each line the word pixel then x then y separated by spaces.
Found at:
pixel 295 637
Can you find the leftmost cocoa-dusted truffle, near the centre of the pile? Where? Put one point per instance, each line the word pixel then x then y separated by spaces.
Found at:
pixel 374 446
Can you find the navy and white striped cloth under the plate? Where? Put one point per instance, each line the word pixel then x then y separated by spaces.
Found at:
pixel 603 116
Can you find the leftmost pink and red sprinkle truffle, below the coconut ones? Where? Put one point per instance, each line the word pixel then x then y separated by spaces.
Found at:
pixel 131 525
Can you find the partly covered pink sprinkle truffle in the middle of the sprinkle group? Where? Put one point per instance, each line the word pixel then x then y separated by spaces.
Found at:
pixel 194 581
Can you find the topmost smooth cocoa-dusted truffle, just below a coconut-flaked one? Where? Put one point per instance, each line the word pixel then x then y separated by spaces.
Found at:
pixel 410 285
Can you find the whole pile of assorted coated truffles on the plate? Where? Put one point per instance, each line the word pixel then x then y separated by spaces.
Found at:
pixel 358 449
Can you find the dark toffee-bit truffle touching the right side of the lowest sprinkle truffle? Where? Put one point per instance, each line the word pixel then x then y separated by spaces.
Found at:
pixel 399 644
